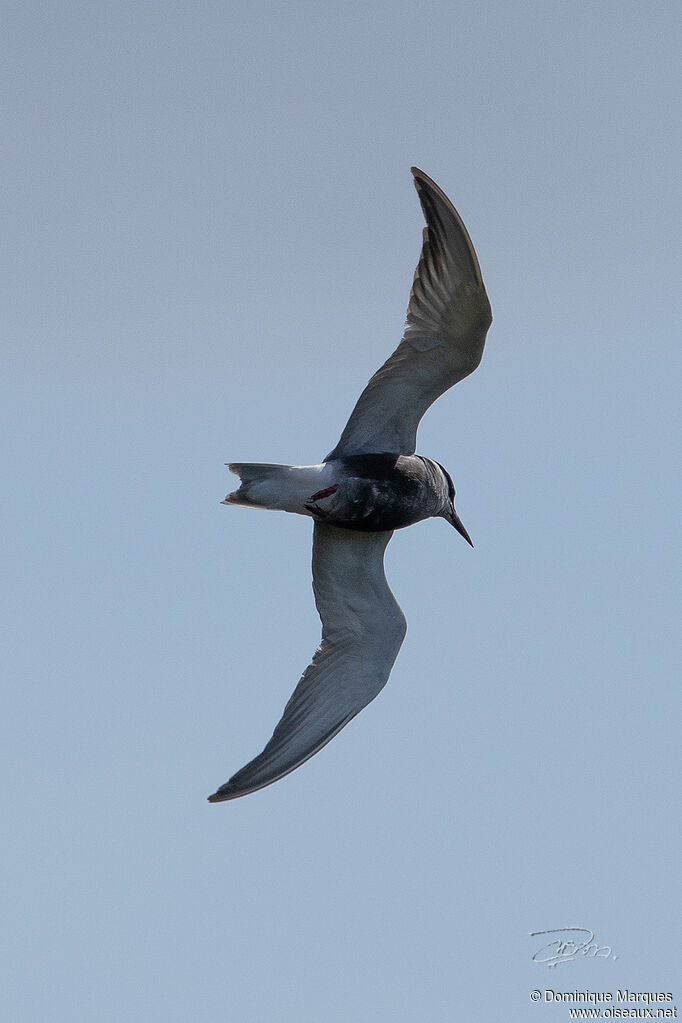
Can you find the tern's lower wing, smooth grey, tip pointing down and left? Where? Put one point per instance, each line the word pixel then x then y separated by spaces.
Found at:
pixel 362 632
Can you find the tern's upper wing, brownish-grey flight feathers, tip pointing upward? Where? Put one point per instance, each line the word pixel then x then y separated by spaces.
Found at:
pixel 448 318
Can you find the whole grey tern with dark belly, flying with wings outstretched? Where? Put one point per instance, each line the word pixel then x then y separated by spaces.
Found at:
pixel 370 485
